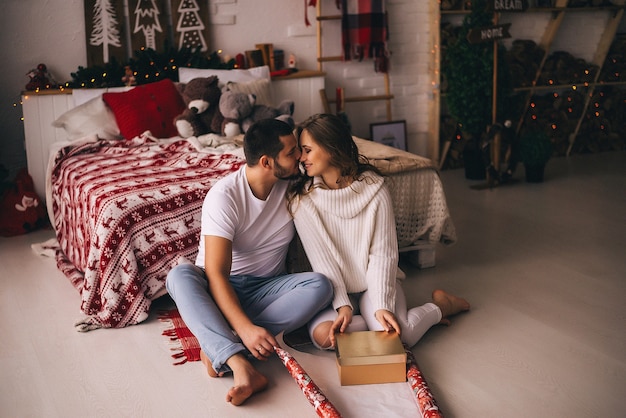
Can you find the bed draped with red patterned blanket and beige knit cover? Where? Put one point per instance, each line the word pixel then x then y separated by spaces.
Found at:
pixel 125 211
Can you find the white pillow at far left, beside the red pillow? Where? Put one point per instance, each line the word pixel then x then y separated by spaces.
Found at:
pixel 89 118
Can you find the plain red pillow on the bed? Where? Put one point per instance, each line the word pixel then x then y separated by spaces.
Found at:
pixel 150 107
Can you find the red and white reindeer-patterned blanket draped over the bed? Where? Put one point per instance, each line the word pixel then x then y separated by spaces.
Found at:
pixel 126 212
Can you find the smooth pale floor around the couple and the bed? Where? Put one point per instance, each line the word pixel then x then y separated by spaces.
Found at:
pixel 544 266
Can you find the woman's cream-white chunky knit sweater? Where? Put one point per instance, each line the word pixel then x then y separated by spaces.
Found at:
pixel 349 235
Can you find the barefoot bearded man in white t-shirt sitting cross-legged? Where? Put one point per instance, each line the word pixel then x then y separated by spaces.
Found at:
pixel 243 298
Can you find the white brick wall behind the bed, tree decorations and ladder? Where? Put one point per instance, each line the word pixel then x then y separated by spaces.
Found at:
pixel 53 32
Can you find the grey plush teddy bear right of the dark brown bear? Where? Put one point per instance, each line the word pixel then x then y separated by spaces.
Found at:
pixel 240 111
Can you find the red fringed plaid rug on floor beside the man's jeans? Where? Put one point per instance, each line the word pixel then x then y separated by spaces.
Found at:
pixel 184 345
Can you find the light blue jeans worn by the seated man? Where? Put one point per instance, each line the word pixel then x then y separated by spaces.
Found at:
pixel 282 303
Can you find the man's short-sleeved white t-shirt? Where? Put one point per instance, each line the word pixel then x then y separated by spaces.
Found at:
pixel 260 230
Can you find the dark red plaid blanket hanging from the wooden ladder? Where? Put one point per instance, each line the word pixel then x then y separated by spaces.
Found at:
pixel 365 31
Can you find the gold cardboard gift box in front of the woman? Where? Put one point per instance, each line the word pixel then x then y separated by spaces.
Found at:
pixel 368 357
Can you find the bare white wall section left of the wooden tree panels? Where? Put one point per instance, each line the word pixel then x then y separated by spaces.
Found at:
pixel 33 32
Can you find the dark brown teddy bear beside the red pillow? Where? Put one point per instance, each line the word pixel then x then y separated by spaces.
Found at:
pixel 202 115
